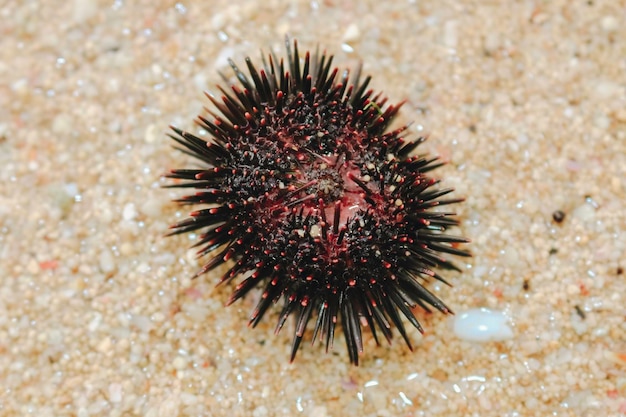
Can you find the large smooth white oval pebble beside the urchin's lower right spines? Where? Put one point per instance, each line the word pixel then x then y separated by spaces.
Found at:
pixel 482 325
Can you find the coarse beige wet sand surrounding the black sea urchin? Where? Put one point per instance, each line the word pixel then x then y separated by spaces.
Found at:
pixel 98 316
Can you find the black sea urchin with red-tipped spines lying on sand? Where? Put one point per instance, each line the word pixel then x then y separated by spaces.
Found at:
pixel 311 198
